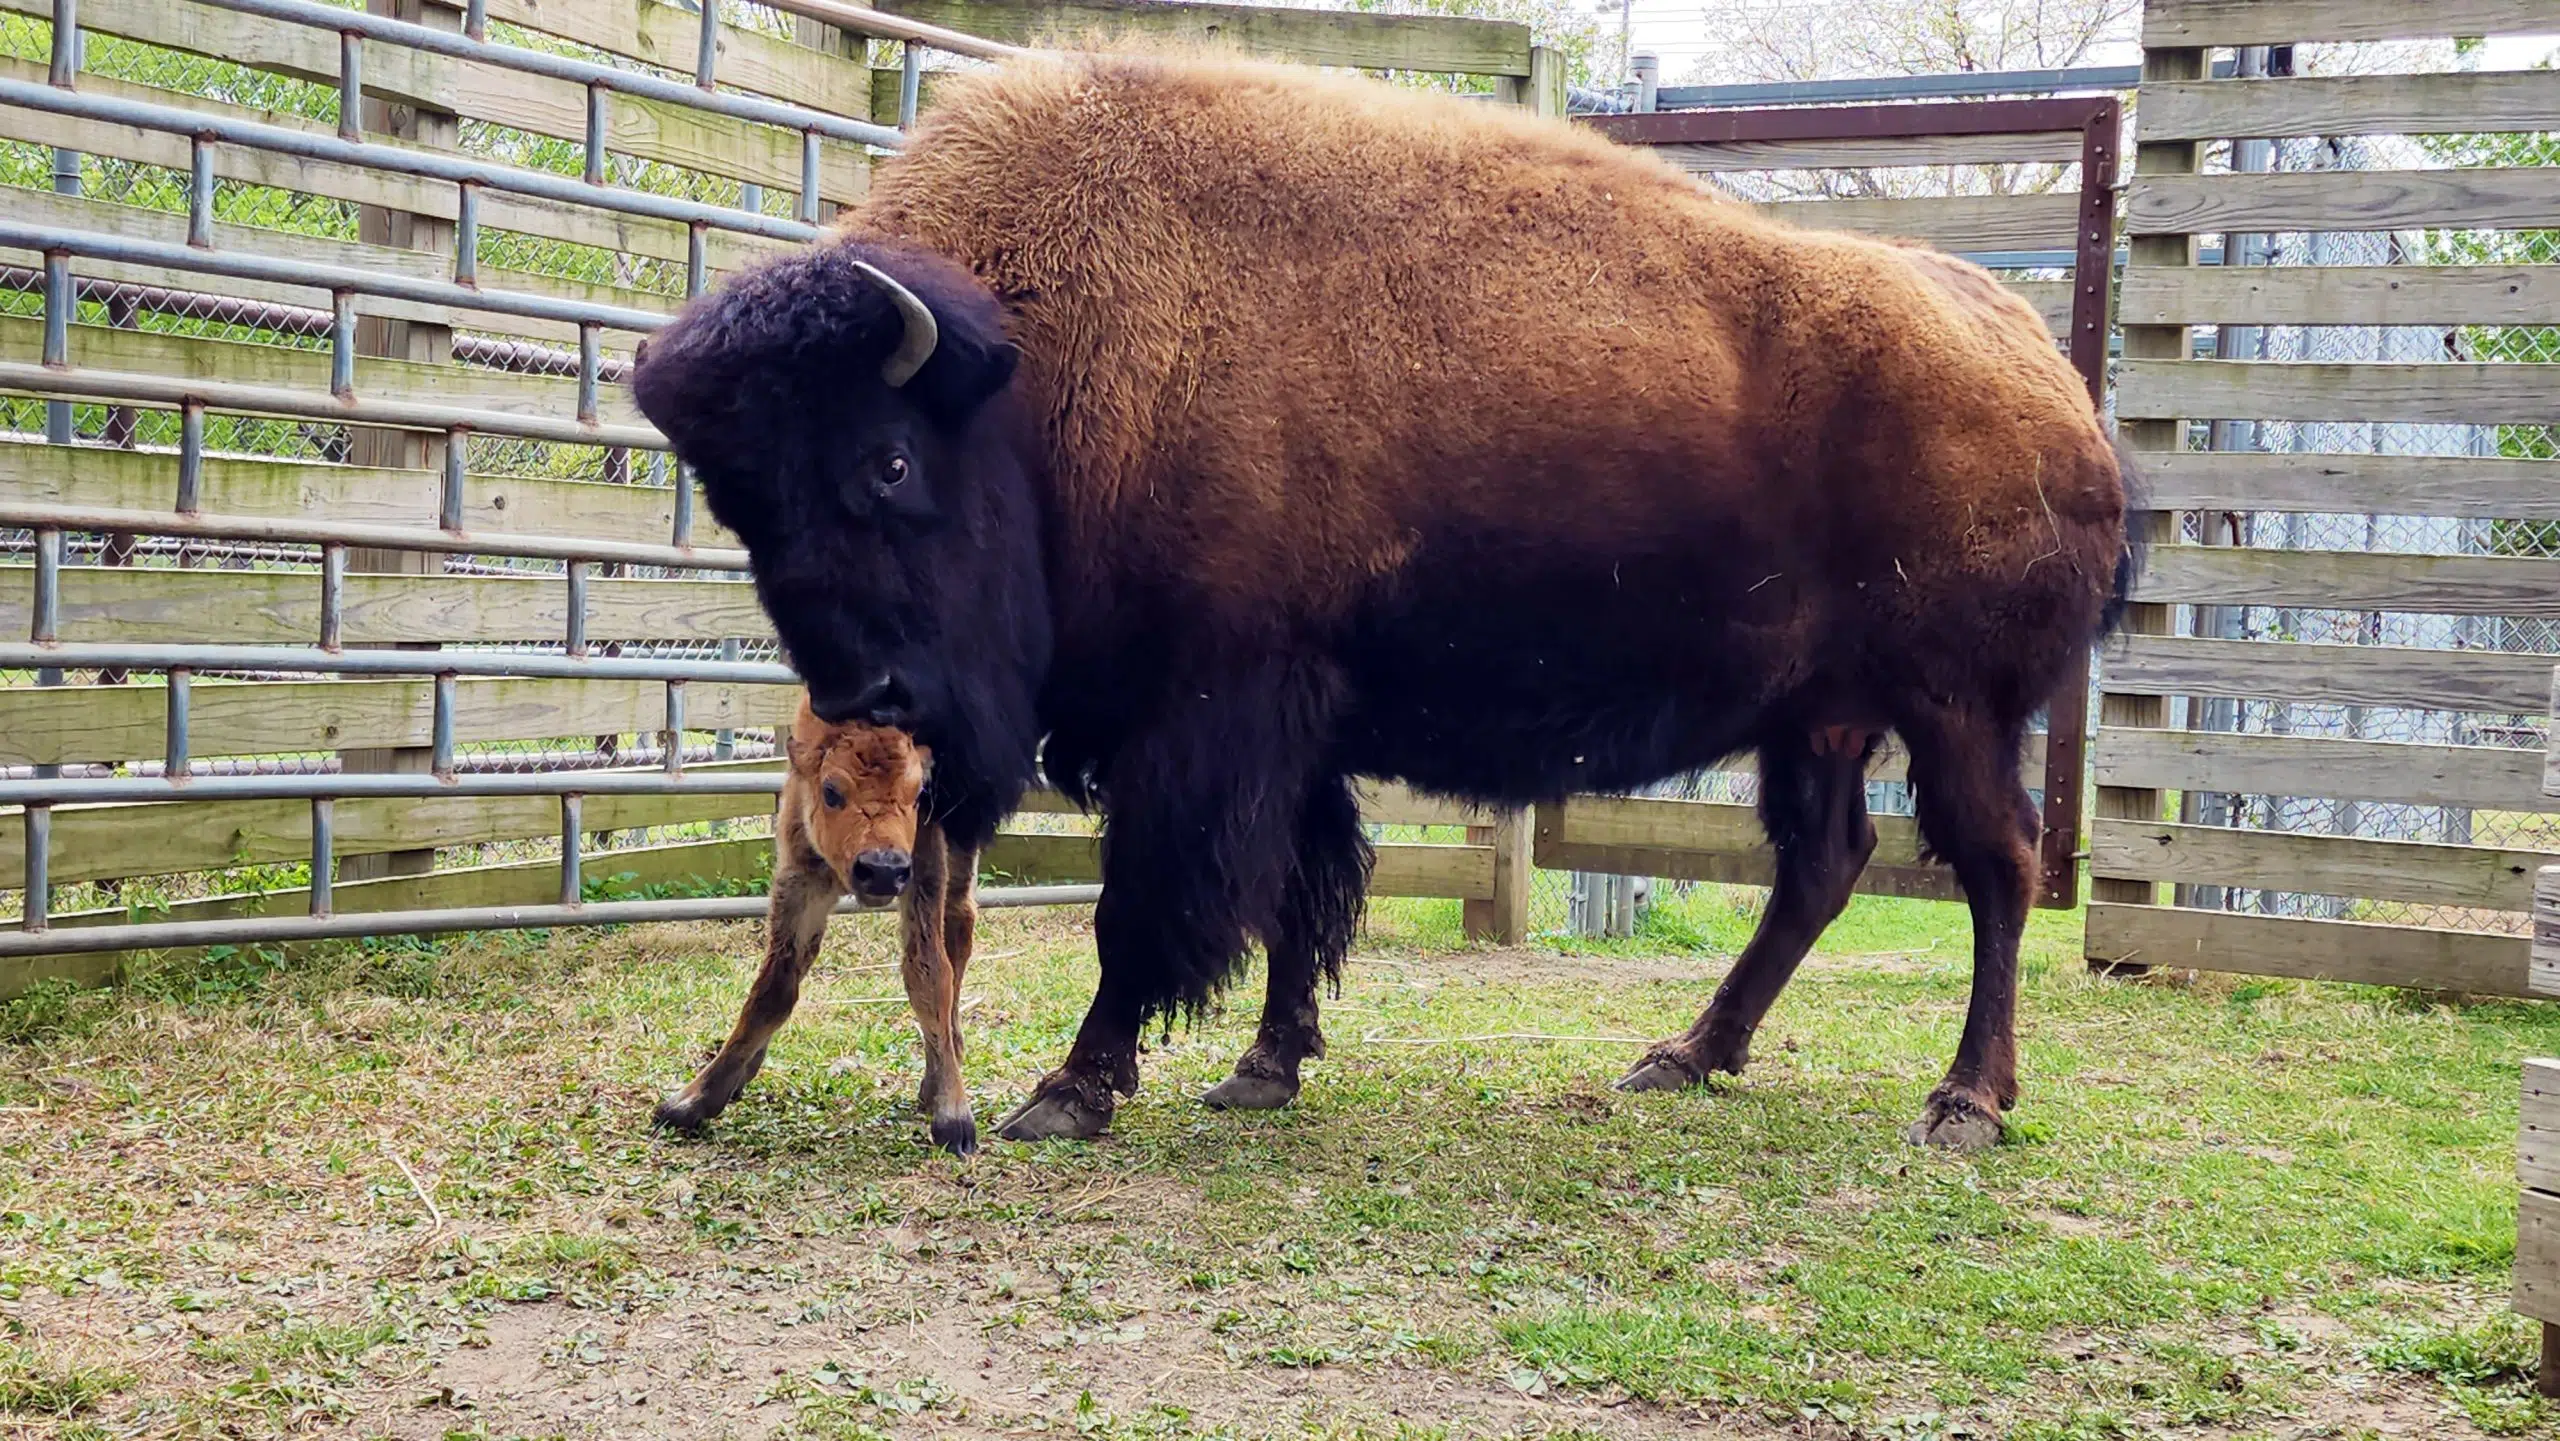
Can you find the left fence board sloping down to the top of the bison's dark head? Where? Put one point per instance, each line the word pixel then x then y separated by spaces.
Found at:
pixel 544 219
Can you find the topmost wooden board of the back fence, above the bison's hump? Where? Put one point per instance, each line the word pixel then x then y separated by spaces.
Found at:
pixel 1307 37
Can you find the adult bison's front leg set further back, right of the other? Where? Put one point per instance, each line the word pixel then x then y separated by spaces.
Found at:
pixel 1320 910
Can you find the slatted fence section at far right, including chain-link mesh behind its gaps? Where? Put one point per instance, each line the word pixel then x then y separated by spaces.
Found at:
pixel 2326 726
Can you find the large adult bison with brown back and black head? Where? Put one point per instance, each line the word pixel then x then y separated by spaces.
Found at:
pixel 1376 434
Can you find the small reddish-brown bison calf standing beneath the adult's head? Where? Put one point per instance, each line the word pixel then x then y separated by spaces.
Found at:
pixel 851 825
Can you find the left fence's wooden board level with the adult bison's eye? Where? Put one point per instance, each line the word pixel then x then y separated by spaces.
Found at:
pixel 349 495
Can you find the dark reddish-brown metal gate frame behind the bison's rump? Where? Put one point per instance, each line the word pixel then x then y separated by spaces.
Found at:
pixel 2100 119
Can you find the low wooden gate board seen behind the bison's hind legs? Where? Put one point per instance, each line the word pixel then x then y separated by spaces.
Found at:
pixel 1711 841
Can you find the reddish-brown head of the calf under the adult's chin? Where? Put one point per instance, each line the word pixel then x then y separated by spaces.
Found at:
pixel 859 790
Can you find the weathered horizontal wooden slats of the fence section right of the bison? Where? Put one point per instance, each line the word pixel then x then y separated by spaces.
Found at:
pixel 2318 905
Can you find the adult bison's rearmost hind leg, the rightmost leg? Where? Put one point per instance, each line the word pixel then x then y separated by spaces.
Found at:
pixel 1975 815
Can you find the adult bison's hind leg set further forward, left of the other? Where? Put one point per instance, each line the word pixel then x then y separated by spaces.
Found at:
pixel 1814 808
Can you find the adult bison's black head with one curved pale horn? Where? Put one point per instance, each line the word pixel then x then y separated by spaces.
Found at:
pixel 851 418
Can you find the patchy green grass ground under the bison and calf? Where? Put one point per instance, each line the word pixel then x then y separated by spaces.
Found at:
pixel 2226 1209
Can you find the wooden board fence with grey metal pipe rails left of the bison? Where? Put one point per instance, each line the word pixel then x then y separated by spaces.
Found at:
pixel 355 593
